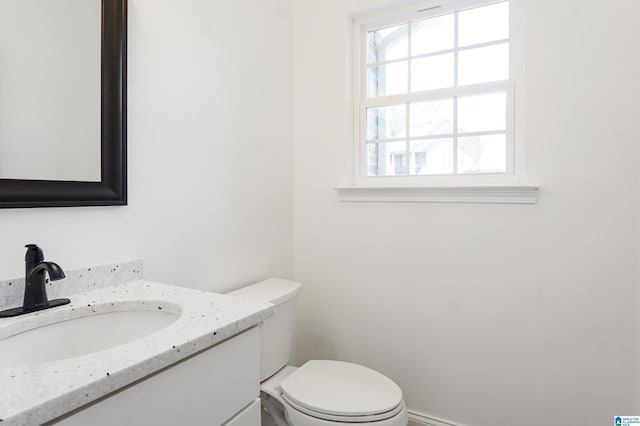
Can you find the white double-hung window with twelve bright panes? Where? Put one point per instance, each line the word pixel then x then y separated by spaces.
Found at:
pixel 435 94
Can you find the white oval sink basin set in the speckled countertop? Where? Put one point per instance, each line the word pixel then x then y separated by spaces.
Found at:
pixel 81 336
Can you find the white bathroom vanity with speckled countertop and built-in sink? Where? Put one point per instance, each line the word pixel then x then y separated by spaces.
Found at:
pixel 200 366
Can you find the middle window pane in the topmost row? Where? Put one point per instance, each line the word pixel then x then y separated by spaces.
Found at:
pixel 432 35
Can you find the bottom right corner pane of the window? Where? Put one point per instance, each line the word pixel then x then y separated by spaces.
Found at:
pixel 482 154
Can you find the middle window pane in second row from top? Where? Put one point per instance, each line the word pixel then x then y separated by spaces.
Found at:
pixel 434 72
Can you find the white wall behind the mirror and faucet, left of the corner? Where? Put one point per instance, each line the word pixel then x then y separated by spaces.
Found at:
pixel 210 153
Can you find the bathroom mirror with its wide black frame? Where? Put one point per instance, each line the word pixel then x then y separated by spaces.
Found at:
pixel 63 142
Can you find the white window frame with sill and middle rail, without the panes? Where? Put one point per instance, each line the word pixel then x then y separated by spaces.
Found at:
pixel 371 20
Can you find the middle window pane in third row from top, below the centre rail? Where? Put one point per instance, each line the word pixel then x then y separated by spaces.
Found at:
pixel 431 118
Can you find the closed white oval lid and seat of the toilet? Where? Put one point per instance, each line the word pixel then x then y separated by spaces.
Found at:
pixel 338 388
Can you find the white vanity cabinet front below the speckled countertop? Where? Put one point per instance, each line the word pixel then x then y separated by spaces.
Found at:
pixel 217 386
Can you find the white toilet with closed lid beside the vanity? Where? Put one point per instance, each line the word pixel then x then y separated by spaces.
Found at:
pixel 321 392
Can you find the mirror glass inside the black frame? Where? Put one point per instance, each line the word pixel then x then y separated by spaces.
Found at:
pixel 50 54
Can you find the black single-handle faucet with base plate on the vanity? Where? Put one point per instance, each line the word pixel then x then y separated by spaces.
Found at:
pixel 35 291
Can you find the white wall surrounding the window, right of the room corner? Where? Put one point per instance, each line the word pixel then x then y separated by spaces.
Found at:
pixel 486 315
